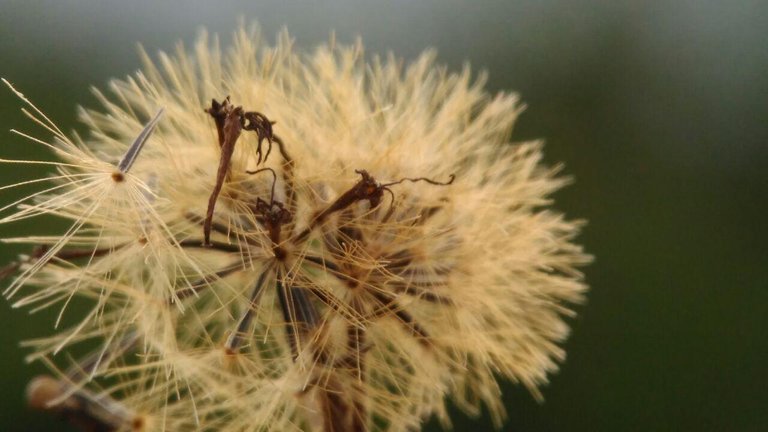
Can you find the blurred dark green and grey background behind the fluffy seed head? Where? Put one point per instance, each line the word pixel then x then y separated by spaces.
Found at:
pixel 659 109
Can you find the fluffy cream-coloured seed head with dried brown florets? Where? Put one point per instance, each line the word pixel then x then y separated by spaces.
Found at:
pixel 270 240
